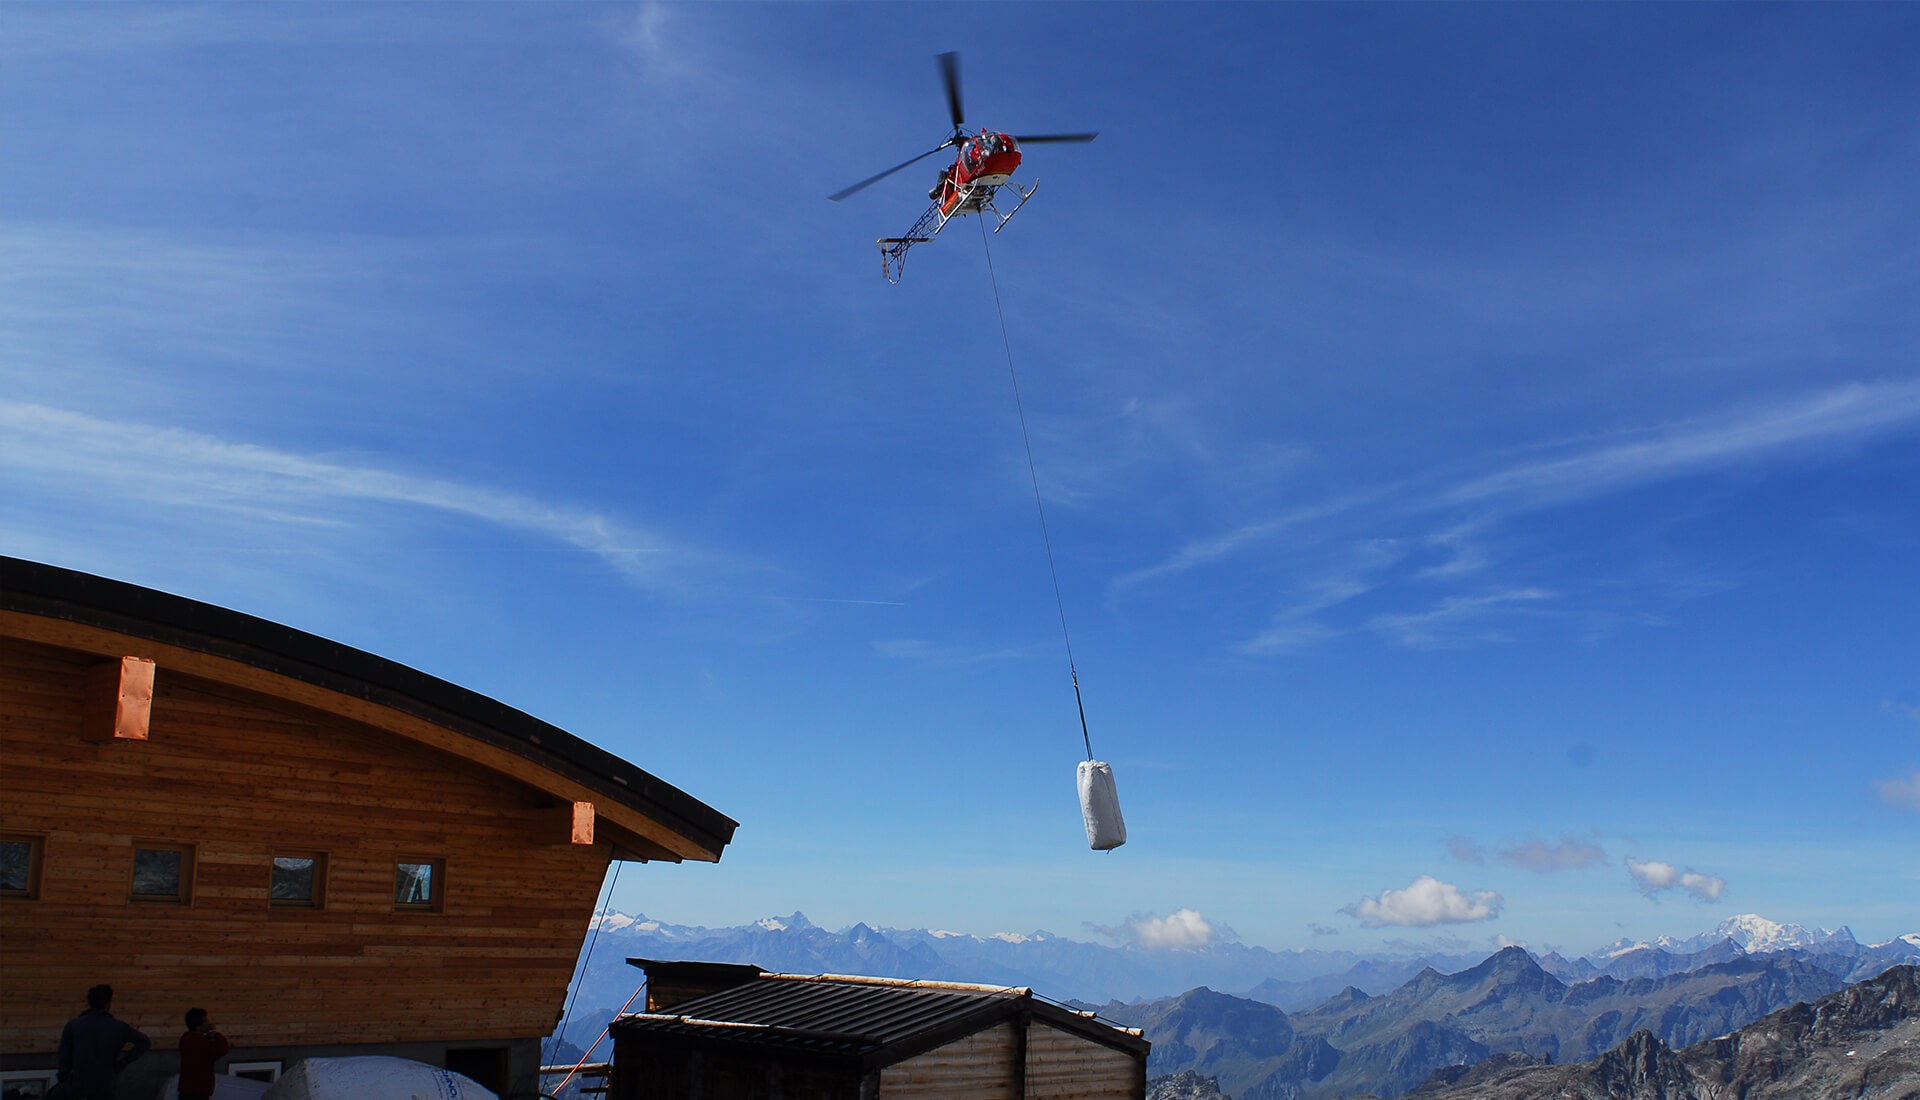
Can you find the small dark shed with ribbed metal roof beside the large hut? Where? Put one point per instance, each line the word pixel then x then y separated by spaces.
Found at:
pixel 723 1032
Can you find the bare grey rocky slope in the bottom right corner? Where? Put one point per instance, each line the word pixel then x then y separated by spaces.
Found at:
pixel 1858 1043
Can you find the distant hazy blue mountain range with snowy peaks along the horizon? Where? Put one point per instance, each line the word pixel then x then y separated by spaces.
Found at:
pixel 1308 1024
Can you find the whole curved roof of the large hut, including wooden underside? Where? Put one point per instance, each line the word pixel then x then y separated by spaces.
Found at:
pixel 642 815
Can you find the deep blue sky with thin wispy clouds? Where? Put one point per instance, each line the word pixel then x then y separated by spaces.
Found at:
pixel 1479 442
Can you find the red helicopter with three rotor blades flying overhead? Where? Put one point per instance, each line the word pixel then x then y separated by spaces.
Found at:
pixel 984 164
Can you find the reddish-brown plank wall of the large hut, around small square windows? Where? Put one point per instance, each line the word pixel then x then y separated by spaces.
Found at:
pixel 243 777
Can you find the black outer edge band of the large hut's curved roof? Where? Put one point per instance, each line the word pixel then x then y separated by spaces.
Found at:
pixel 168 619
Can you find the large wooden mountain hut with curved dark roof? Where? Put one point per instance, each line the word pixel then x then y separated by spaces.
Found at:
pixel 325 849
